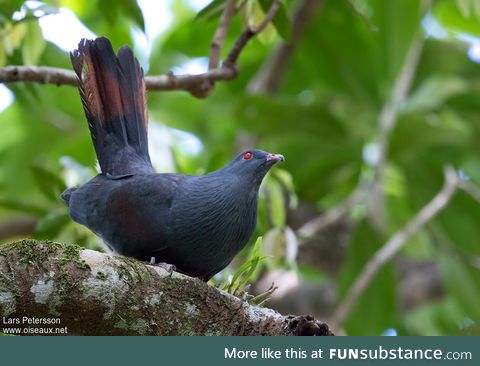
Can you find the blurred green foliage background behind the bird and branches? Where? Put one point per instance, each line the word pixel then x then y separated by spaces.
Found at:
pixel 322 113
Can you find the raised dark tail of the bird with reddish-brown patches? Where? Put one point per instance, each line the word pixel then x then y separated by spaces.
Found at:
pixel 112 89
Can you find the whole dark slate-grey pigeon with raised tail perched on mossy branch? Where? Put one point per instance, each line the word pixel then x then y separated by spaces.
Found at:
pixel 195 223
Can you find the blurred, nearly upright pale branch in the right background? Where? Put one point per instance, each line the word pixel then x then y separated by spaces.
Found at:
pixel 387 120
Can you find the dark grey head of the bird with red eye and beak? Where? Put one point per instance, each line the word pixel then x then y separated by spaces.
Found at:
pixel 253 164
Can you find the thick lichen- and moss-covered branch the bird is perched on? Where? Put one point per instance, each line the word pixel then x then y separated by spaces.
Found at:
pixel 92 293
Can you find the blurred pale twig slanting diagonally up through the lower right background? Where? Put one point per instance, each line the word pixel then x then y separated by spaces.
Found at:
pixel 393 245
